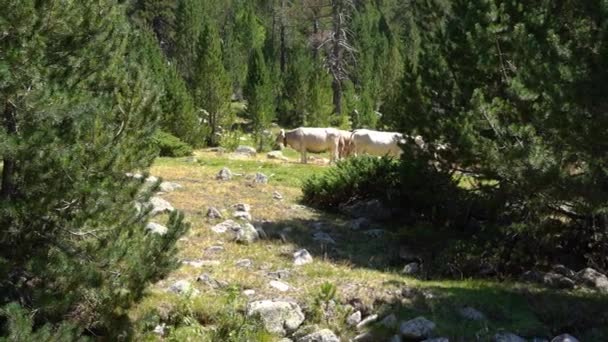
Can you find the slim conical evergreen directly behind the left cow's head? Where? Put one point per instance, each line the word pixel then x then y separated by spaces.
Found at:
pixel 259 96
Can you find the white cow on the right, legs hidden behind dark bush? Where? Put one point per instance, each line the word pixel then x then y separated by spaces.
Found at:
pixel 376 143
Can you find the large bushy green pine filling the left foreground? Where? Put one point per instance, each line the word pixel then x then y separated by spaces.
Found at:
pixel 79 109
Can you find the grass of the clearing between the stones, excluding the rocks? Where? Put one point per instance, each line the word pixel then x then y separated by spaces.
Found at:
pixel 363 265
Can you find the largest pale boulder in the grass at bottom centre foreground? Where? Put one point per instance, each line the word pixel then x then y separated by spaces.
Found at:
pixel 278 317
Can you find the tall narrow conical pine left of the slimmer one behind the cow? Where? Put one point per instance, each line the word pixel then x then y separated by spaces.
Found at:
pixel 212 86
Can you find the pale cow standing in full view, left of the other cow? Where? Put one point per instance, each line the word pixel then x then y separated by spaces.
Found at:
pixel 311 139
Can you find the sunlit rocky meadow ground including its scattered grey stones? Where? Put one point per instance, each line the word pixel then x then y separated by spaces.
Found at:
pixel 312 276
